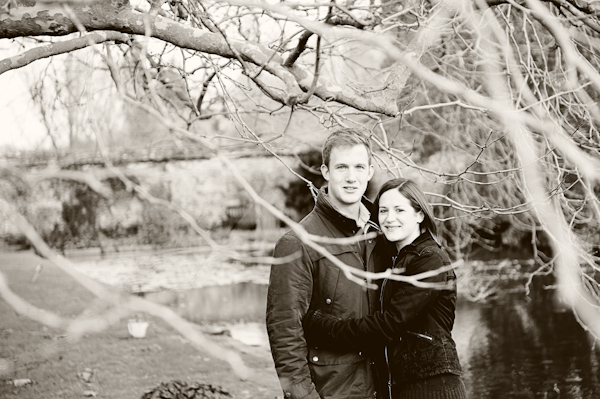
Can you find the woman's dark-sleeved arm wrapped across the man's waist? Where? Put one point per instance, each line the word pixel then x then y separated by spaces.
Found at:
pixel 407 302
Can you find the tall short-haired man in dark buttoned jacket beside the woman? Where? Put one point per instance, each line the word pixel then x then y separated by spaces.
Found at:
pixel 311 281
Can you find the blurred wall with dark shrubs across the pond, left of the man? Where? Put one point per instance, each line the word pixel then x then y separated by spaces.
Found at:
pixel 71 215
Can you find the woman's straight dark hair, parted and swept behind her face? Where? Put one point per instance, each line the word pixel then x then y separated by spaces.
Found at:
pixel 418 201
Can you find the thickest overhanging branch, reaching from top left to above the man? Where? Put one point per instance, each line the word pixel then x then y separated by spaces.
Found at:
pixel 105 17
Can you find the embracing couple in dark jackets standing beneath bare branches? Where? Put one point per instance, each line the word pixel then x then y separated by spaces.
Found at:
pixel 332 338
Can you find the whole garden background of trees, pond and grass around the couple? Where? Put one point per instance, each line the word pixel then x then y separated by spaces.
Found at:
pixel 151 153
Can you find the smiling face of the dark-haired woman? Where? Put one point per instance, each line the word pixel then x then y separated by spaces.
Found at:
pixel 400 223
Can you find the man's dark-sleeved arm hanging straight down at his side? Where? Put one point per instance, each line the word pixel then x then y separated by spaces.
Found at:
pixel 288 299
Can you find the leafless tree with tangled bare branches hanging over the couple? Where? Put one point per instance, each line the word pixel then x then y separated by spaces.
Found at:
pixel 493 102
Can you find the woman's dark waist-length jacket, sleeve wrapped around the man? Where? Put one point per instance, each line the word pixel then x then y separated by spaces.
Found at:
pixel 415 323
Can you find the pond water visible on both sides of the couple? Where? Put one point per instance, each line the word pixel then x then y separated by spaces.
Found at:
pixel 514 347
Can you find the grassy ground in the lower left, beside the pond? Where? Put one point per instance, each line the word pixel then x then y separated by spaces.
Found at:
pixel 123 367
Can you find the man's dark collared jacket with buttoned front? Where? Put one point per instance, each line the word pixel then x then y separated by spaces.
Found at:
pixel 311 281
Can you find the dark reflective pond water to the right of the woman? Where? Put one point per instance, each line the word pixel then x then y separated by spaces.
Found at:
pixel 528 349
